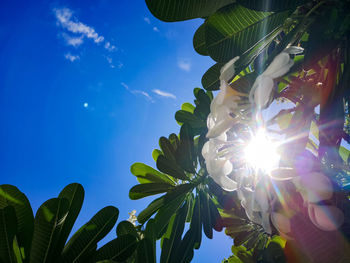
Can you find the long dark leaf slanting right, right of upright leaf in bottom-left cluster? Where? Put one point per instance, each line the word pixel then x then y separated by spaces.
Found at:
pixel 89 234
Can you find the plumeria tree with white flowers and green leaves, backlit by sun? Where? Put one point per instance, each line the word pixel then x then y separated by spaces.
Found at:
pixel 277 183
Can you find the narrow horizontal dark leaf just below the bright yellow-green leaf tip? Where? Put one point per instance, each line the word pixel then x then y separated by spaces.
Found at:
pixel 142 190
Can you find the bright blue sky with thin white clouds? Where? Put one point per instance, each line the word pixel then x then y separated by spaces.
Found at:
pixel 86 89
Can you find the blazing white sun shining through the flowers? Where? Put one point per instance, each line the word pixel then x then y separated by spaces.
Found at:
pixel 261 152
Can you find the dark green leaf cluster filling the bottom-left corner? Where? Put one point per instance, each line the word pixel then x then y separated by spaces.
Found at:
pixel 43 238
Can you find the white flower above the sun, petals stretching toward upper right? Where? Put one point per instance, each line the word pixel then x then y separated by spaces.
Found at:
pixel 261 93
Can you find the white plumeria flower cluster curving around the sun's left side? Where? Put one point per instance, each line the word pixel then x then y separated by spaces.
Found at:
pixel 230 127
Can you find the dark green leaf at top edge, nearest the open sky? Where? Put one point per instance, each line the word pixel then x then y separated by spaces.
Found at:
pixel 178 10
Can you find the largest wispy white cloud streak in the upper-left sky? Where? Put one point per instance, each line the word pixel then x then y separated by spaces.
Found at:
pixel 65 19
